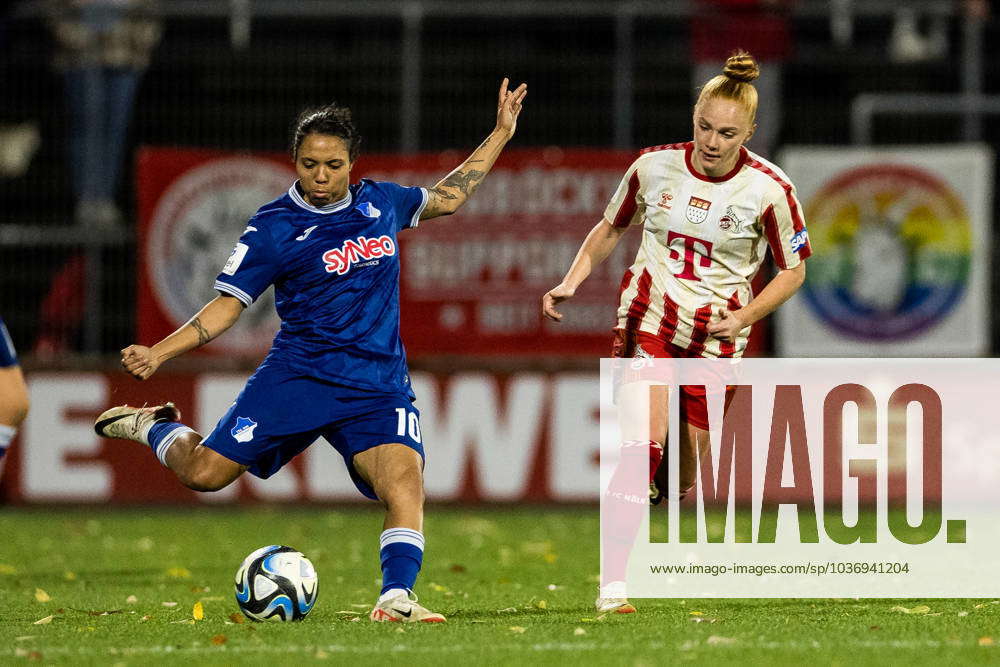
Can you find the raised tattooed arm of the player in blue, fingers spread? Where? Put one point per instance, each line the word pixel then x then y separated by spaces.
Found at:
pixel 454 189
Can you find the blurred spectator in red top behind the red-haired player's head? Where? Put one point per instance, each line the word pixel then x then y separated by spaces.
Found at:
pixel 762 27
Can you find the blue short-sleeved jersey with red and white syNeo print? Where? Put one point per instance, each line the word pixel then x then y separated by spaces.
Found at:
pixel 335 272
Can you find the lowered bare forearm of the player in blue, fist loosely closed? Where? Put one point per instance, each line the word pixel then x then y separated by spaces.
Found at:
pixel 217 316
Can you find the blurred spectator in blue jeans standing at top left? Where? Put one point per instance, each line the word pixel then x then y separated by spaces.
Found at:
pixel 103 47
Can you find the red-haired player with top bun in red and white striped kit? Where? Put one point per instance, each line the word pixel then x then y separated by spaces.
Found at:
pixel 709 209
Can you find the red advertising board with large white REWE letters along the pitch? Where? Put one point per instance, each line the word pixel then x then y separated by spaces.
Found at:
pixel 516 437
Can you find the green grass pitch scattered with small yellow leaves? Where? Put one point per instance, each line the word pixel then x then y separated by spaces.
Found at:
pixel 119 587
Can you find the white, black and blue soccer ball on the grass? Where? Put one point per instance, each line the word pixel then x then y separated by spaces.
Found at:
pixel 276 583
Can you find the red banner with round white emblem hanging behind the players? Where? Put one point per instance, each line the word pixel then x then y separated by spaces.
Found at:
pixel 471 284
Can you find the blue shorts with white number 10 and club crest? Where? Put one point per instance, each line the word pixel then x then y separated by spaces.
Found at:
pixel 280 412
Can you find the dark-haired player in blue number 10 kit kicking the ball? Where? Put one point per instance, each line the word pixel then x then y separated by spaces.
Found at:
pixel 337 367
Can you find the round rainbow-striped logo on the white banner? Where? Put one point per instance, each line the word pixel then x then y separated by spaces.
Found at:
pixel 891 252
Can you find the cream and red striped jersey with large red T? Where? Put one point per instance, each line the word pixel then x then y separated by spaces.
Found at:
pixel 703 240
